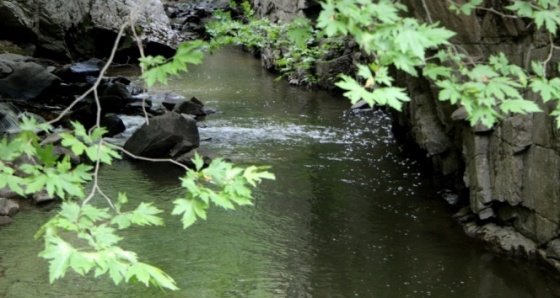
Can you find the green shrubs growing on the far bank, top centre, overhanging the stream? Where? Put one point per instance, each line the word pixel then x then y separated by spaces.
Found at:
pixel 297 46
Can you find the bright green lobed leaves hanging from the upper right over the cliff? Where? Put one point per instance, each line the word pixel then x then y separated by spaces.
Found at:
pixel 487 90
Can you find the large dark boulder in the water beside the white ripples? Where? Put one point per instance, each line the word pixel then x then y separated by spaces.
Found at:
pixel 167 136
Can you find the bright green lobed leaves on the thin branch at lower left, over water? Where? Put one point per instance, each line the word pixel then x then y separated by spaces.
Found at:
pixel 83 238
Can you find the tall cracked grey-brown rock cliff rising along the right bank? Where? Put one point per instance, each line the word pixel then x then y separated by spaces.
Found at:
pixel 512 171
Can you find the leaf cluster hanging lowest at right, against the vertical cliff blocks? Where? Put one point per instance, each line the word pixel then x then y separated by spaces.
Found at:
pixel 486 91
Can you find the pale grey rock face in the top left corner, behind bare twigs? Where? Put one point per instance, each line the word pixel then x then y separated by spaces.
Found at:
pixel 75 28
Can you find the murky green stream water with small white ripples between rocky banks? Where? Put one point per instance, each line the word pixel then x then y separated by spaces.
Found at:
pixel 350 215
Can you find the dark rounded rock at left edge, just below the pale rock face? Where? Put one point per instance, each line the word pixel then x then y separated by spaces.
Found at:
pixel 25 80
